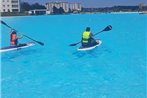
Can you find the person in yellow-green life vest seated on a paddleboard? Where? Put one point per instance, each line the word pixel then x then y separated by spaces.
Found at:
pixel 87 39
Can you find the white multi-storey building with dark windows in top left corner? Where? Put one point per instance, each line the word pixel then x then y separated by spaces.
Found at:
pixel 9 5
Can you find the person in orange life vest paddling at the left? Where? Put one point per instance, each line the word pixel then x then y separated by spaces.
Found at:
pixel 14 38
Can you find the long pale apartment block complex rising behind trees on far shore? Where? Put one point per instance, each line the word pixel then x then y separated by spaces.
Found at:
pixel 65 5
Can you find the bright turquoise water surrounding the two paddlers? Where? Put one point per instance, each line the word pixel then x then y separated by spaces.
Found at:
pixel 116 69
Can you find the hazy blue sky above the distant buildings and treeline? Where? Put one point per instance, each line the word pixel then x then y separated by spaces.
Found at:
pixel 95 3
